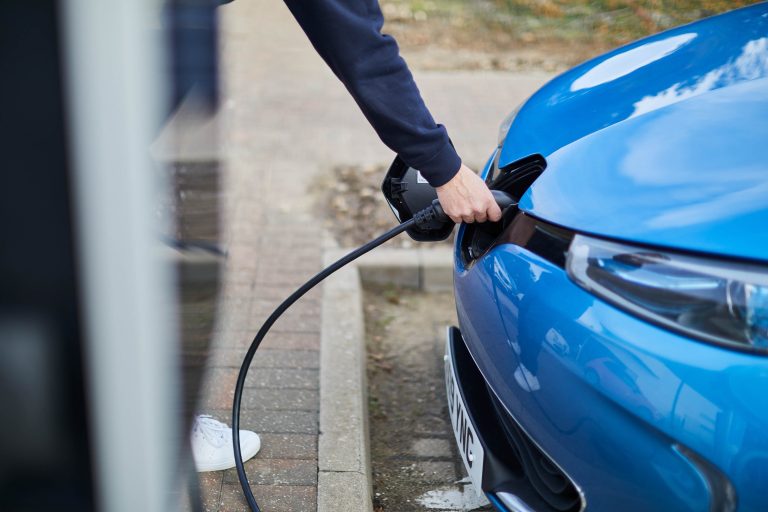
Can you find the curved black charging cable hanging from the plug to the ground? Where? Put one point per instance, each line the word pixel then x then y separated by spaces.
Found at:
pixel 268 325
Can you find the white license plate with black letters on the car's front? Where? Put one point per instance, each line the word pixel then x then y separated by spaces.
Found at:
pixel 466 436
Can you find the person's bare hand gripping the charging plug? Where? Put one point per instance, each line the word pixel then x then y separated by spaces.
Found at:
pixel 466 198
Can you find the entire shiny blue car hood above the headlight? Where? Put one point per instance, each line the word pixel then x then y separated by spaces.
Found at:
pixel 663 142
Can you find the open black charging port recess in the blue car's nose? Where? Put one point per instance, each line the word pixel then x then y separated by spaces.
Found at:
pixel 513 179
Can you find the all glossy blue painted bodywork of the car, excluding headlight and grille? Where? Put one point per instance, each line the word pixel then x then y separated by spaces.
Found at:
pixel 615 435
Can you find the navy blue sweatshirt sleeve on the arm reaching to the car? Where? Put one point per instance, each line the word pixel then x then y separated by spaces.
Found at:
pixel 347 35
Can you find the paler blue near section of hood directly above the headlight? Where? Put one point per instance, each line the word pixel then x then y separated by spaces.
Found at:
pixel 692 175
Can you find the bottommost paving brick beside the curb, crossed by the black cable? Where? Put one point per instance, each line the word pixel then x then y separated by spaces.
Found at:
pixel 276 498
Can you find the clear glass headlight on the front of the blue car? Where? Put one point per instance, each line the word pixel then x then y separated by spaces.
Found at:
pixel 712 300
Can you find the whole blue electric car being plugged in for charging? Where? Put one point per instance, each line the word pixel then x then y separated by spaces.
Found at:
pixel 612 348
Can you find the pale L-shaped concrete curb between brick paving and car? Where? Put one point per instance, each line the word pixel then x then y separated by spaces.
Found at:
pixel 344 465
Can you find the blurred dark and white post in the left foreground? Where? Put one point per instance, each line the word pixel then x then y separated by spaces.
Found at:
pixel 99 255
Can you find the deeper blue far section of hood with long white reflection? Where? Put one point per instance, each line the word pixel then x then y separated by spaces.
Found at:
pixel 649 74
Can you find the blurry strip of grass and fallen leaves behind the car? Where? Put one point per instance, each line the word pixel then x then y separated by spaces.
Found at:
pixel 573 28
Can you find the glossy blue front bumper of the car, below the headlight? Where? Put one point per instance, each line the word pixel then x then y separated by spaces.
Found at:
pixel 637 418
